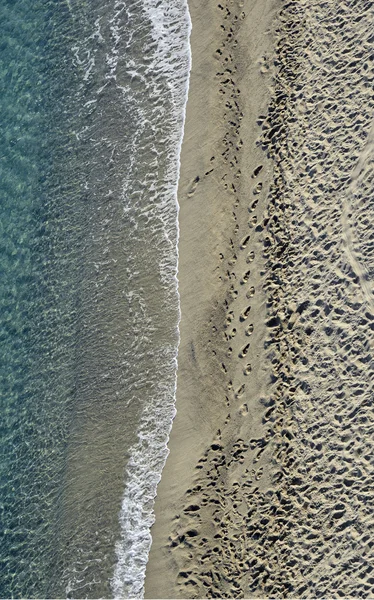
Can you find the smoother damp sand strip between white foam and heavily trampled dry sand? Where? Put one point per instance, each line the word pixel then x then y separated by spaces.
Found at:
pixel 220 170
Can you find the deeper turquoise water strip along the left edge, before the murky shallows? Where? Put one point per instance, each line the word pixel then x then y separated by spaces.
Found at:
pixel 38 299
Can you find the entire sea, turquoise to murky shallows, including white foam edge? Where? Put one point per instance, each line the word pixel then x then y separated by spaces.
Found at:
pixel 92 110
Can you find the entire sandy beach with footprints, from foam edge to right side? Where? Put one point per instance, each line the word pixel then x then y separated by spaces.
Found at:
pixel 268 488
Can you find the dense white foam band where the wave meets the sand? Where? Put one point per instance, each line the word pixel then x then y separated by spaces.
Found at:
pixel 171 59
